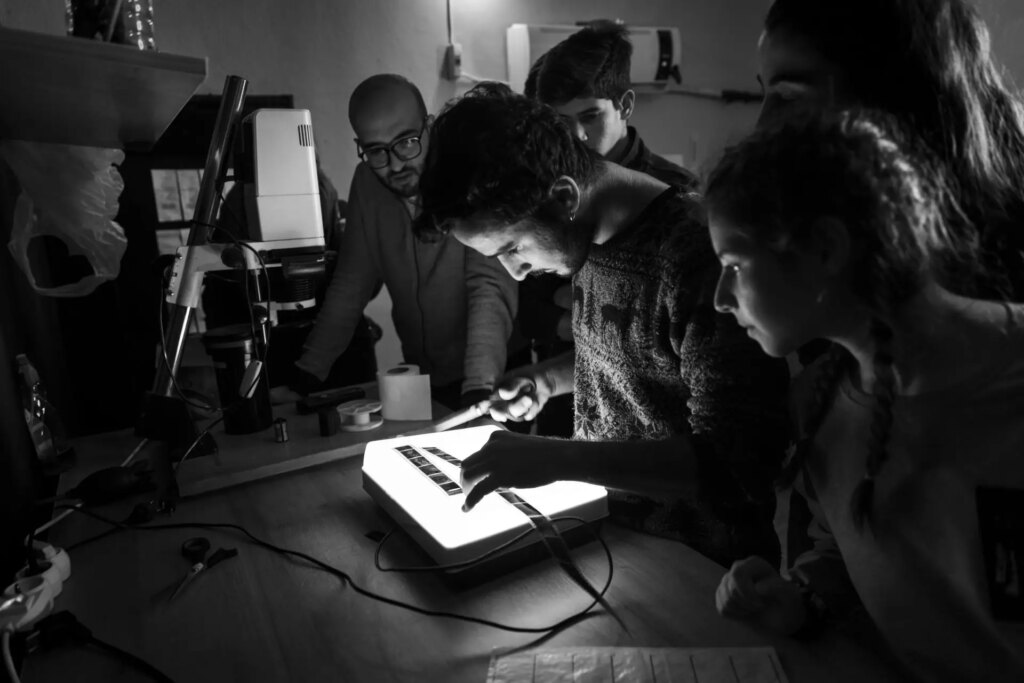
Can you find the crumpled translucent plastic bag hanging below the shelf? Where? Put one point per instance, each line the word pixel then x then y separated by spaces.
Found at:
pixel 70 193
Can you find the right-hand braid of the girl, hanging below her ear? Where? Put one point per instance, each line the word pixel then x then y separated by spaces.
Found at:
pixel 882 420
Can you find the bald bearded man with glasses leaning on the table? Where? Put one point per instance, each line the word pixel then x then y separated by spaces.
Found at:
pixel 453 309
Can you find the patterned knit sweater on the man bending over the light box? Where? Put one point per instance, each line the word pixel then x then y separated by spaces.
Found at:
pixel 655 360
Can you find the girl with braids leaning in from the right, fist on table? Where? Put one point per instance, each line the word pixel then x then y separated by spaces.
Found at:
pixel 830 227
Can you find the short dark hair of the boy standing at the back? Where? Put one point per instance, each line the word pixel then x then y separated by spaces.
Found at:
pixel 592 63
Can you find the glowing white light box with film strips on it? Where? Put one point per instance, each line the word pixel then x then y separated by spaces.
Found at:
pixel 416 480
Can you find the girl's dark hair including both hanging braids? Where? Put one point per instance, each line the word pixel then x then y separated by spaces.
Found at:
pixel 860 168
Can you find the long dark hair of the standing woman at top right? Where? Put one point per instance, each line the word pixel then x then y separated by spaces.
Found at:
pixel 929 63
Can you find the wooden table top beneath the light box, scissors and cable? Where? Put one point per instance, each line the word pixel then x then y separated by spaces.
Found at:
pixel 262 617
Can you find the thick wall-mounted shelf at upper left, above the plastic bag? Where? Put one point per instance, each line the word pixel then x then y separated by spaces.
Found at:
pixel 78 92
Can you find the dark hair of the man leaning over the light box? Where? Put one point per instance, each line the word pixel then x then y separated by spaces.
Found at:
pixel 497 154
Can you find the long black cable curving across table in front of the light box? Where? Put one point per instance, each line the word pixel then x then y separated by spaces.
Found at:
pixel 346 579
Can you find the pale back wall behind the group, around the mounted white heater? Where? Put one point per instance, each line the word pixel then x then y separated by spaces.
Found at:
pixel 320 50
